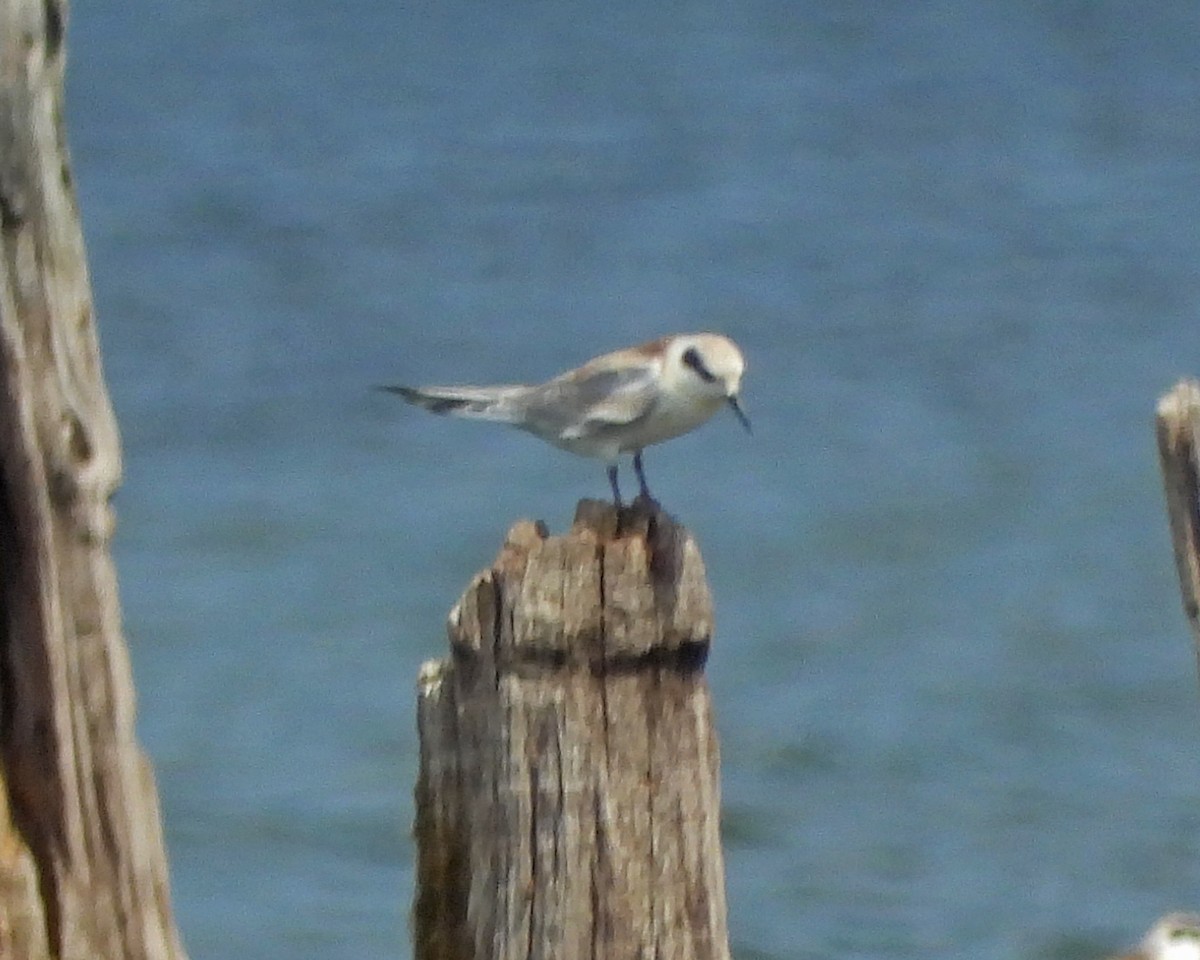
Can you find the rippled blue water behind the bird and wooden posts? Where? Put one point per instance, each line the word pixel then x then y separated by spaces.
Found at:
pixel 958 242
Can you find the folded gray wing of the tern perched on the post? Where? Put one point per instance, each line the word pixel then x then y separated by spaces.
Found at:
pixel 583 406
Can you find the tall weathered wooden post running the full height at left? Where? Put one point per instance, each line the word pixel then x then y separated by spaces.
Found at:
pixel 83 872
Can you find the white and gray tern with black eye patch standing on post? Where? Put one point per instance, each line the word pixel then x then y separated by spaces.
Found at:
pixel 613 406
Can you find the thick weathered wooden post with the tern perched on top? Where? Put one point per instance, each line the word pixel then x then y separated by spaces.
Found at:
pixel 568 802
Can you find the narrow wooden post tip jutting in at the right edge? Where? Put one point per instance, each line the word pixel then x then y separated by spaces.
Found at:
pixel 1179 452
